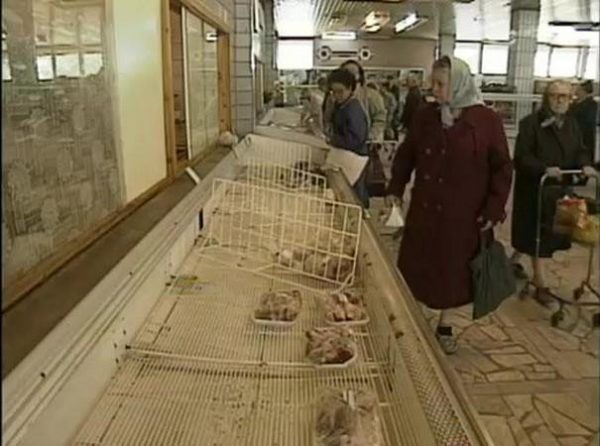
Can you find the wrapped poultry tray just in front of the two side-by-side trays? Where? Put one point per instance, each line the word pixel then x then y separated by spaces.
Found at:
pixel 331 345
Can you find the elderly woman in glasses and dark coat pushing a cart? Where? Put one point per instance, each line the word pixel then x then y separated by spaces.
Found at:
pixel 549 140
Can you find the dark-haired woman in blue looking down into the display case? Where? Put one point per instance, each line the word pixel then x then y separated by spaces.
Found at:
pixel 349 123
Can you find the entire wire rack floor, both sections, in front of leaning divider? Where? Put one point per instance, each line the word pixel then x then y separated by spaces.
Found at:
pixel 199 372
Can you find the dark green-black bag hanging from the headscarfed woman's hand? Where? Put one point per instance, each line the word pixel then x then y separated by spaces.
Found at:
pixel 493 279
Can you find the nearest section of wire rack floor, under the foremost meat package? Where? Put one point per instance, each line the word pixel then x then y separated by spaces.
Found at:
pixel 185 402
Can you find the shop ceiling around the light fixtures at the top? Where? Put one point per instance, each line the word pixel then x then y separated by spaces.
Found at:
pixel 477 20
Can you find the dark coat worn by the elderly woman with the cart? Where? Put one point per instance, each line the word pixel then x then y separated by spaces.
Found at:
pixel 536 149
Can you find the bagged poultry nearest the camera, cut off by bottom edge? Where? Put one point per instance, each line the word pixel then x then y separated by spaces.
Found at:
pixel 348 418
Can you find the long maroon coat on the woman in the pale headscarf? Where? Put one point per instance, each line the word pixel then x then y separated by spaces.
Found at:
pixel 461 173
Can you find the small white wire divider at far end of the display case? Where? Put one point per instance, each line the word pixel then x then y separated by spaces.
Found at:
pixel 272 150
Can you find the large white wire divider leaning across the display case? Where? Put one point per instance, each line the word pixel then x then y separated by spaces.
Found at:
pixel 276 232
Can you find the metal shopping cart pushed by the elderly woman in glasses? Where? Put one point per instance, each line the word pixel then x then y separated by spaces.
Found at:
pixel 586 285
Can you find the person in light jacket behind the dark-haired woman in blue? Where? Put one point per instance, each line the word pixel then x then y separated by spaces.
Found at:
pixel 371 101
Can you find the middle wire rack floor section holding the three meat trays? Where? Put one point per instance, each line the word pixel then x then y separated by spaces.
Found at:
pixel 215 324
